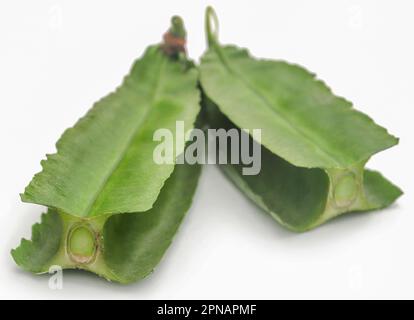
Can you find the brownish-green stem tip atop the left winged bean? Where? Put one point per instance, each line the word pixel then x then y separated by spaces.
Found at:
pixel 175 38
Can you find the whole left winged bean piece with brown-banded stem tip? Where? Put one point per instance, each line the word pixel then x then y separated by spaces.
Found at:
pixel 112 209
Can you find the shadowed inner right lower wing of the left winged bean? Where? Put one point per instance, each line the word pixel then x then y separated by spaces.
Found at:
pixel 135 243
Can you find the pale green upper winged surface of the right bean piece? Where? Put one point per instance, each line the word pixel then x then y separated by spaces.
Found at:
pixel 301 120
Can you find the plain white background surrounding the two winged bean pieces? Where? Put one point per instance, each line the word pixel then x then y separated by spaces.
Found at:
pixel 58 57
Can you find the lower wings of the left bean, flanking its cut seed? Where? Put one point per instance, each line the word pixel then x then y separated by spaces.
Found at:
pixel 132 244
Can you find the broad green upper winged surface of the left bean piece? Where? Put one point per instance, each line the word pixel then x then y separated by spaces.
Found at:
pixel 104 164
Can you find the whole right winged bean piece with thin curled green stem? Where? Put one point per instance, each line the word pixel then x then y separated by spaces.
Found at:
pixel 314 144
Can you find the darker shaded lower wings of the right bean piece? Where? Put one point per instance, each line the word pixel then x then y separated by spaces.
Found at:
pixel 300 198
